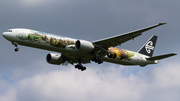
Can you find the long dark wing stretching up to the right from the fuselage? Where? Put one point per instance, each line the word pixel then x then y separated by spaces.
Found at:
pixel 119 39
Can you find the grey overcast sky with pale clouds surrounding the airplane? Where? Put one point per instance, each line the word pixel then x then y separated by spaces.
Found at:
pixel 26 76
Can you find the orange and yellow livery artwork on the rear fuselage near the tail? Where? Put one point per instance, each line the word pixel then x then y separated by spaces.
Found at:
pixel 119 54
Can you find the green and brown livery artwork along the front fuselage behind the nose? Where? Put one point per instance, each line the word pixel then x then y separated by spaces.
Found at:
pixel 41 37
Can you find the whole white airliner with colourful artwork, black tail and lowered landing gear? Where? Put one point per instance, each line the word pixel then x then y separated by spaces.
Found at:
pixel 78 52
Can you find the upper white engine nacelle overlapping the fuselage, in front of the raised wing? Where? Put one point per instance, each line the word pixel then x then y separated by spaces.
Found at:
pixel 83 45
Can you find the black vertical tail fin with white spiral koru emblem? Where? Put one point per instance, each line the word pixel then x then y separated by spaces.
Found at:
pixel 149 46
